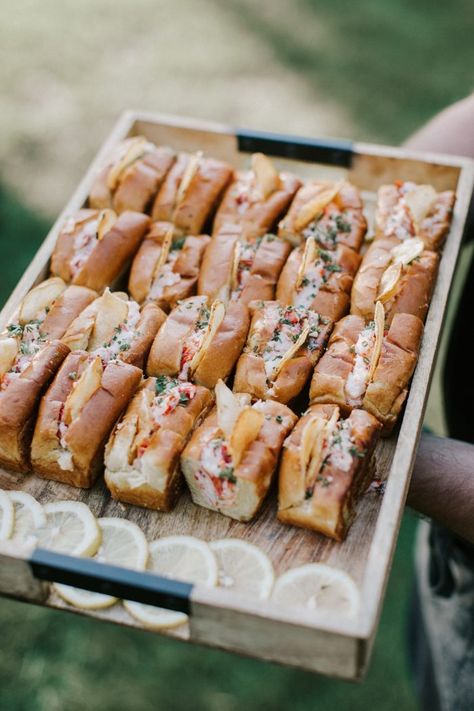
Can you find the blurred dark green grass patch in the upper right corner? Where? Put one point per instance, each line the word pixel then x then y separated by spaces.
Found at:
pixel 392 65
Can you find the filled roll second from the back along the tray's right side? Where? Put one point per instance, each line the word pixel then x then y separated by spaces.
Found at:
pixel 401 275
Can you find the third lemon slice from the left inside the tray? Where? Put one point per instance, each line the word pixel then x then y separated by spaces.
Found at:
pixel 70 528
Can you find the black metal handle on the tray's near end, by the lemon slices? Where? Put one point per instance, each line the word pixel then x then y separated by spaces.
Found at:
pixel 111 580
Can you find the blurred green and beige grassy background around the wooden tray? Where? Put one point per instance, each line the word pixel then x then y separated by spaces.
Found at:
pixel 371 70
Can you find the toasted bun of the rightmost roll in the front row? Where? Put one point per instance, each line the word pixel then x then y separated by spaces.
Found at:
pixel 330 508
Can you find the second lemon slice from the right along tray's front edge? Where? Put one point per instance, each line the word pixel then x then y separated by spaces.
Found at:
pixel 243 567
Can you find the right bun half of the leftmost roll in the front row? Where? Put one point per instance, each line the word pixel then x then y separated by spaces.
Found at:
pixel 19 403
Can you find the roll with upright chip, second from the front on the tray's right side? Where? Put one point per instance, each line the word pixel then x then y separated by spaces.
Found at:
pixel 365 367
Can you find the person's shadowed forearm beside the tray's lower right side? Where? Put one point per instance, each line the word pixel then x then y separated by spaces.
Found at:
pixel 442 486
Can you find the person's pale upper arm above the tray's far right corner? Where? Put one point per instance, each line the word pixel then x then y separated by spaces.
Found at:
pixel 451 131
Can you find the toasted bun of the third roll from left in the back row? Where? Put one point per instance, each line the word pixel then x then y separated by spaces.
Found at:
pixel 260 216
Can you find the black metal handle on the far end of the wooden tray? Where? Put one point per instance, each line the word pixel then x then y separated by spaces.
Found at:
pixel 338 152
